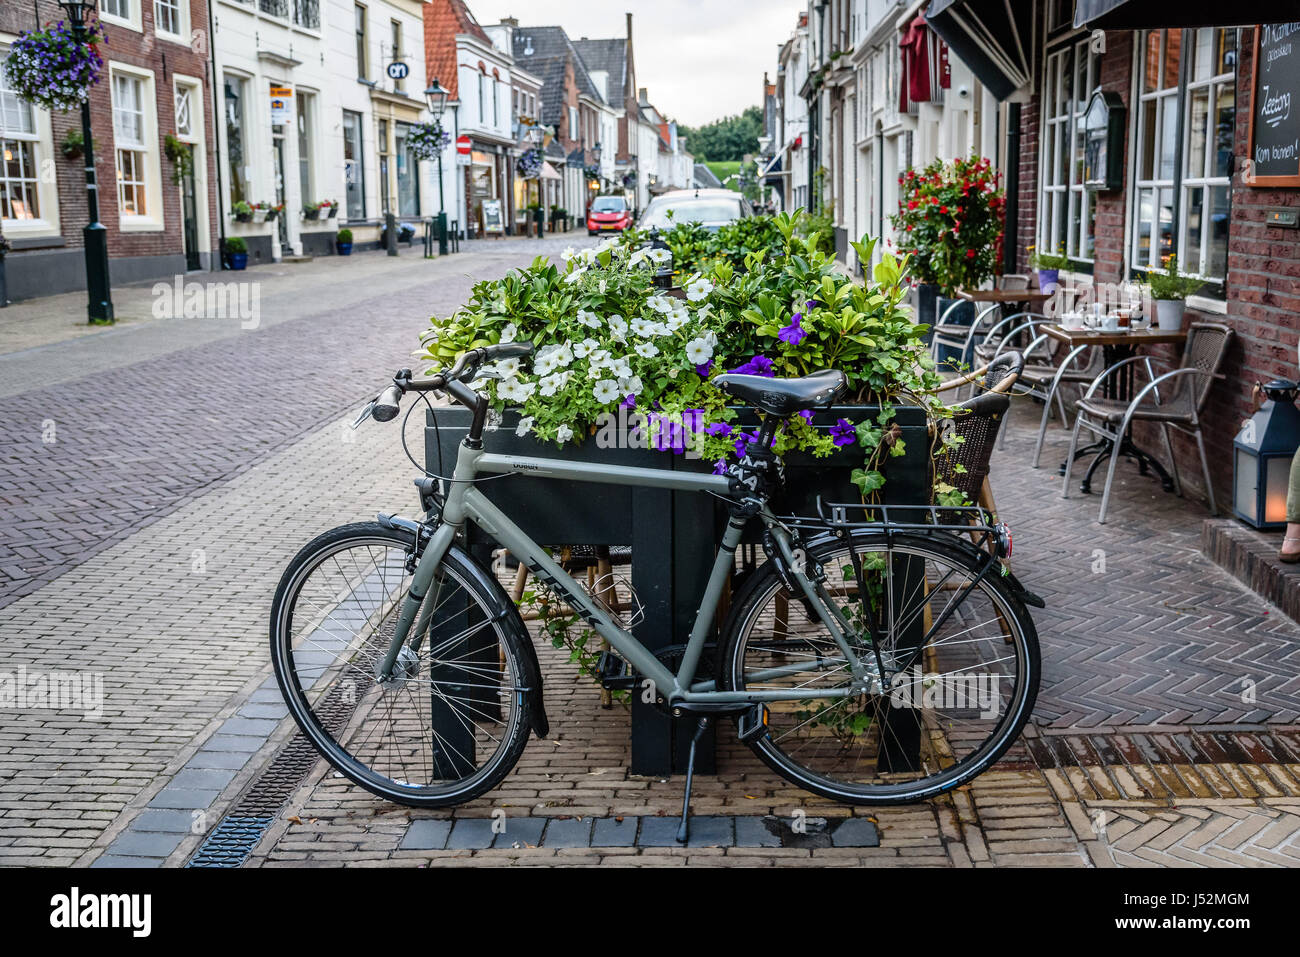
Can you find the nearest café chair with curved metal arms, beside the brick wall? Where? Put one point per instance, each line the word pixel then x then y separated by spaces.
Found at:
pixel 1173 400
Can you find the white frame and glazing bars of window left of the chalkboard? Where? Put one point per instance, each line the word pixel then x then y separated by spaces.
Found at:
pixel 1181 185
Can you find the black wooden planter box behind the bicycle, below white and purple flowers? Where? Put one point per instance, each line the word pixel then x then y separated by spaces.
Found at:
pixel 673 535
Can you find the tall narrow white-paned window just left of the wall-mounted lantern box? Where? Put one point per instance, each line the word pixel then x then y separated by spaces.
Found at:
pixel 1067 210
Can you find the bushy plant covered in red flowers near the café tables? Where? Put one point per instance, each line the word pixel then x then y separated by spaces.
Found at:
pixel 950 223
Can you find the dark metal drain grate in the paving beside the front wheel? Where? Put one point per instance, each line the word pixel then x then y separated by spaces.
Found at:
pixel 239 833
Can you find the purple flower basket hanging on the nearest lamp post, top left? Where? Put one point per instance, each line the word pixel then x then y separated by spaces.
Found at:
pixel 53 68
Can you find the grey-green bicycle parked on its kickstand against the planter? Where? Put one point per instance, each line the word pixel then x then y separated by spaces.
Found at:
pixel 869 660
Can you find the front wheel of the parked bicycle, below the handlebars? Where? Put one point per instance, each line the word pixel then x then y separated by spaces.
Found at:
pixel 454 717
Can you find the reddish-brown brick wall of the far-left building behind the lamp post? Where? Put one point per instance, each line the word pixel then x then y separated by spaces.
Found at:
pixel 145 254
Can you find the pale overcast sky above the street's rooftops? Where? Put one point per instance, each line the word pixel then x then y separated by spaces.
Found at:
pixel 700 59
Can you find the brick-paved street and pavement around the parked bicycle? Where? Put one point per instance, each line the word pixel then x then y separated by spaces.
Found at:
pixel 193 460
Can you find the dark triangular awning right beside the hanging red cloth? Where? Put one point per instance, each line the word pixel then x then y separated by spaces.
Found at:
pixel 994 38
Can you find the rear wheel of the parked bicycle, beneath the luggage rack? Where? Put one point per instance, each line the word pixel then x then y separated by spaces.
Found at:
pixel 946 678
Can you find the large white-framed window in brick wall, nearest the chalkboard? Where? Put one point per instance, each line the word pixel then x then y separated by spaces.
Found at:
pixel 1186 116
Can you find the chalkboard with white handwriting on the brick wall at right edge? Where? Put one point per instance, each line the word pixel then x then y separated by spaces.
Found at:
pixel 1275 140
